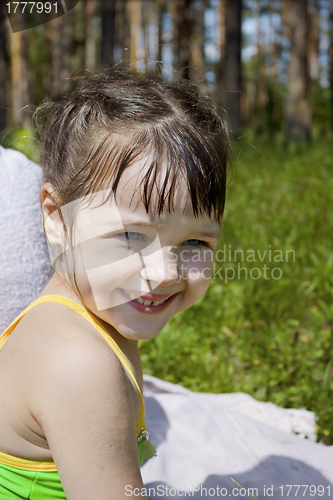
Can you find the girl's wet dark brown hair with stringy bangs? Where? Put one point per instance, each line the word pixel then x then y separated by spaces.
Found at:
pixel 109 120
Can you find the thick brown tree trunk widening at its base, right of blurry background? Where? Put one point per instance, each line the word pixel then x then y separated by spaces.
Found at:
pixel 297 120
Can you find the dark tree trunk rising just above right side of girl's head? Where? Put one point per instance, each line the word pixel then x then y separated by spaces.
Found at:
pixel 230 66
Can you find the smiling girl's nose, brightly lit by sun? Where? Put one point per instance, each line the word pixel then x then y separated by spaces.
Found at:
pixel 161 267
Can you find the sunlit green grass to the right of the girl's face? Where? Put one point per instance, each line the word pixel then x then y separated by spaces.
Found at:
pixel 270 338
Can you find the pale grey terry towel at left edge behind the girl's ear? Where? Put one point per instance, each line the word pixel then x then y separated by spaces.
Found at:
pixel 23 249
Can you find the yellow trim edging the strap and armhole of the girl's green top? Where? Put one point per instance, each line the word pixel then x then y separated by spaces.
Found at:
pixel 24 464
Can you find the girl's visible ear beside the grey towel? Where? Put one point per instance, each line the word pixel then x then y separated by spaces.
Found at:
pixel 50 207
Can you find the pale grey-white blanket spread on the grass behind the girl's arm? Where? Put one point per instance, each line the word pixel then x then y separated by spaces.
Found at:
pixel 204 440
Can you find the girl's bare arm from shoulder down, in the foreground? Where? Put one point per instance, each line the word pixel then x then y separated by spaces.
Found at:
pixel 84 405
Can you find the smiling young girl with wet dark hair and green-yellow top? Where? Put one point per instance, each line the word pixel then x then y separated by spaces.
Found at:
pixel 132 201
